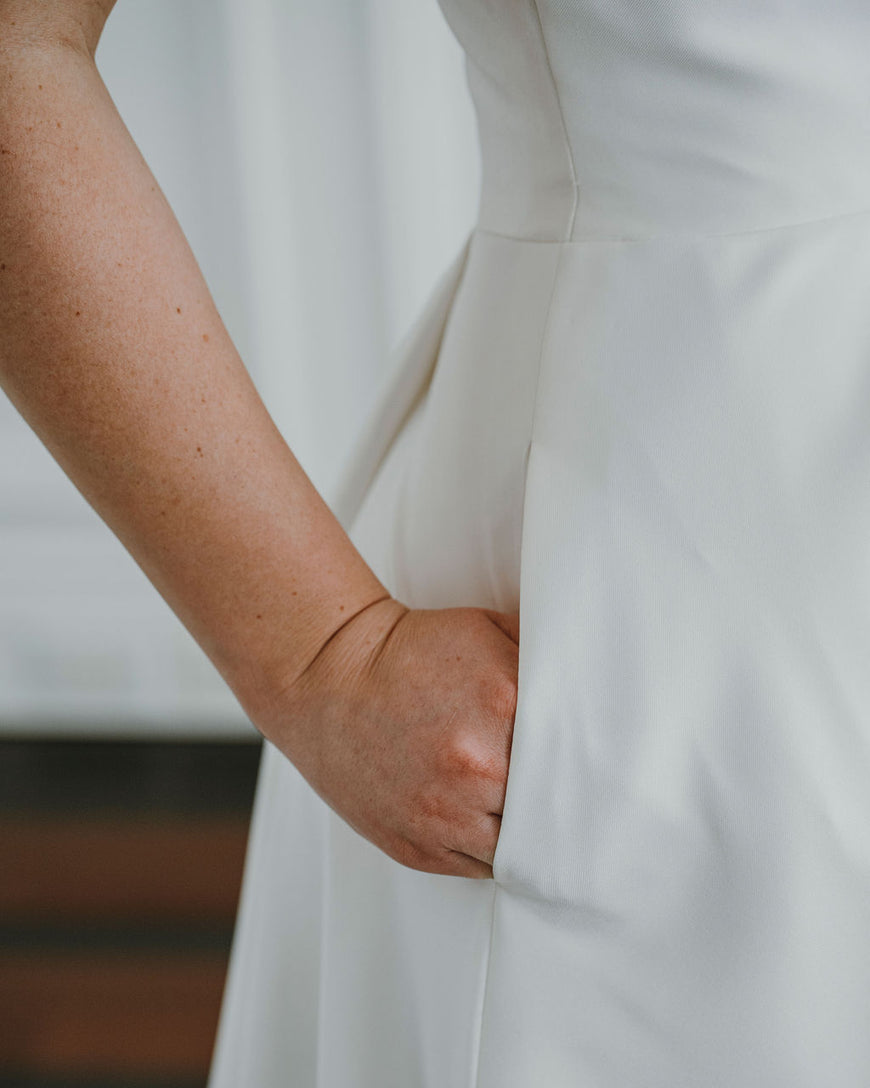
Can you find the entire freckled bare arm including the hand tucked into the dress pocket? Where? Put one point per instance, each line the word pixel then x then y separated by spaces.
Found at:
pixel 114 352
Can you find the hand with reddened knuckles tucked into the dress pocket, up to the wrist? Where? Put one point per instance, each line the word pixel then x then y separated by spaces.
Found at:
pixel 403 724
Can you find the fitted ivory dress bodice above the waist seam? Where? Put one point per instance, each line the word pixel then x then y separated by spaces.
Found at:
pixel 603 119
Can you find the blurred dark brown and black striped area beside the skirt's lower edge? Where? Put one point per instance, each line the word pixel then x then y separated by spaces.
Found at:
pixel 118 894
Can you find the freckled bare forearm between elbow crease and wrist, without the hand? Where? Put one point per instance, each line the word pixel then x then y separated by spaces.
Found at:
pixel 113 350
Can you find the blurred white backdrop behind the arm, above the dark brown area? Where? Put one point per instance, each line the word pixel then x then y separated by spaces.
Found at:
pixel 322 162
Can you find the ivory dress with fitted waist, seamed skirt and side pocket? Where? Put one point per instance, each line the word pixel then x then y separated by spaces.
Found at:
pixel 638 409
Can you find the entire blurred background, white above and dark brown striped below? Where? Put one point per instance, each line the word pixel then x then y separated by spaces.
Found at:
pixel 322 162
